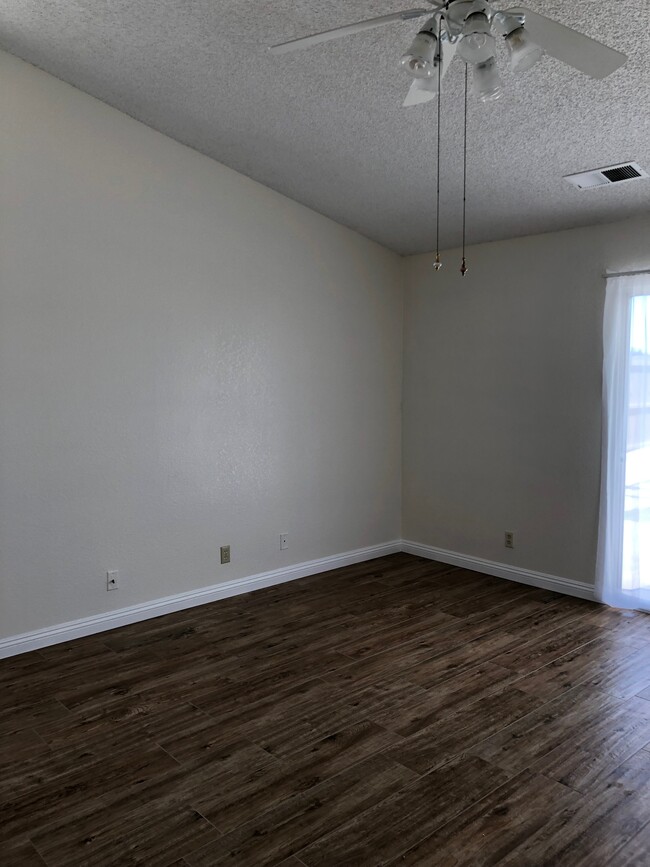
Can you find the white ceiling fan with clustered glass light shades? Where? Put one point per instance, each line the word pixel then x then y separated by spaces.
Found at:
pixel 470 28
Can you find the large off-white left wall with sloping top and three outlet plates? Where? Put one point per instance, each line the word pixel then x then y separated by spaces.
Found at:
pixel 187 359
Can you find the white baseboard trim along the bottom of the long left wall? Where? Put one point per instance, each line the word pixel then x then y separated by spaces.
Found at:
pixel 16 644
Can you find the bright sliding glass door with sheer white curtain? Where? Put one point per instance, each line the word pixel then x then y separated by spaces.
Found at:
pixel 624 541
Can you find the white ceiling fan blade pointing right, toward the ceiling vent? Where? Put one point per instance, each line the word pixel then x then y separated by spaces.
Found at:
pixel 573 48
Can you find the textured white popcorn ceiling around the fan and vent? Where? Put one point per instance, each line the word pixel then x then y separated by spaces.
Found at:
pixel 326 126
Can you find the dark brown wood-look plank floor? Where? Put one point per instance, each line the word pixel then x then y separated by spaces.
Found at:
pixel 396 712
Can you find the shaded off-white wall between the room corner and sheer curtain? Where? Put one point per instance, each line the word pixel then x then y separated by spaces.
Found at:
pixel 502 396
